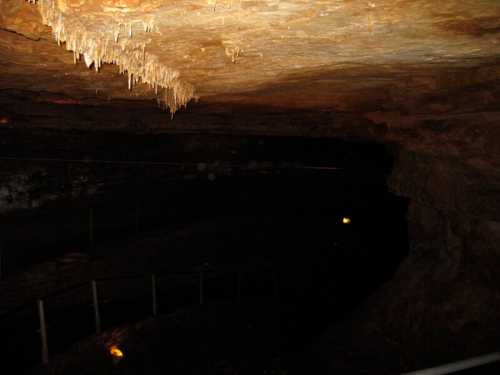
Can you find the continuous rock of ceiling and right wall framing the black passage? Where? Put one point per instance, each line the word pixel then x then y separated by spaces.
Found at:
pixel 422 76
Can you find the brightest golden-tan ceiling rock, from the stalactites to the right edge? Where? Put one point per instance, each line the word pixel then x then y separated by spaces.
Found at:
pixel 230 46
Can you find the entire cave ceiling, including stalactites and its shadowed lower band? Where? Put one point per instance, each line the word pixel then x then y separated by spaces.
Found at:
pixel 374 67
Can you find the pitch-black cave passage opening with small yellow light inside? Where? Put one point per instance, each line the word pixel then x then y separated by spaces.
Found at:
pixel 308 224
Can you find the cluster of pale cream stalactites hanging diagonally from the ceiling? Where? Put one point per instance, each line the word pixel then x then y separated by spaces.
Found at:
pixel 110 47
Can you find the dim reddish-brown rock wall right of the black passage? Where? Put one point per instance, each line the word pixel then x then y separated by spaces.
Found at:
pixel 442 303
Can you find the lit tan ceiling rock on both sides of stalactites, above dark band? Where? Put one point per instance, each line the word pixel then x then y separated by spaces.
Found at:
pixel 293 52
